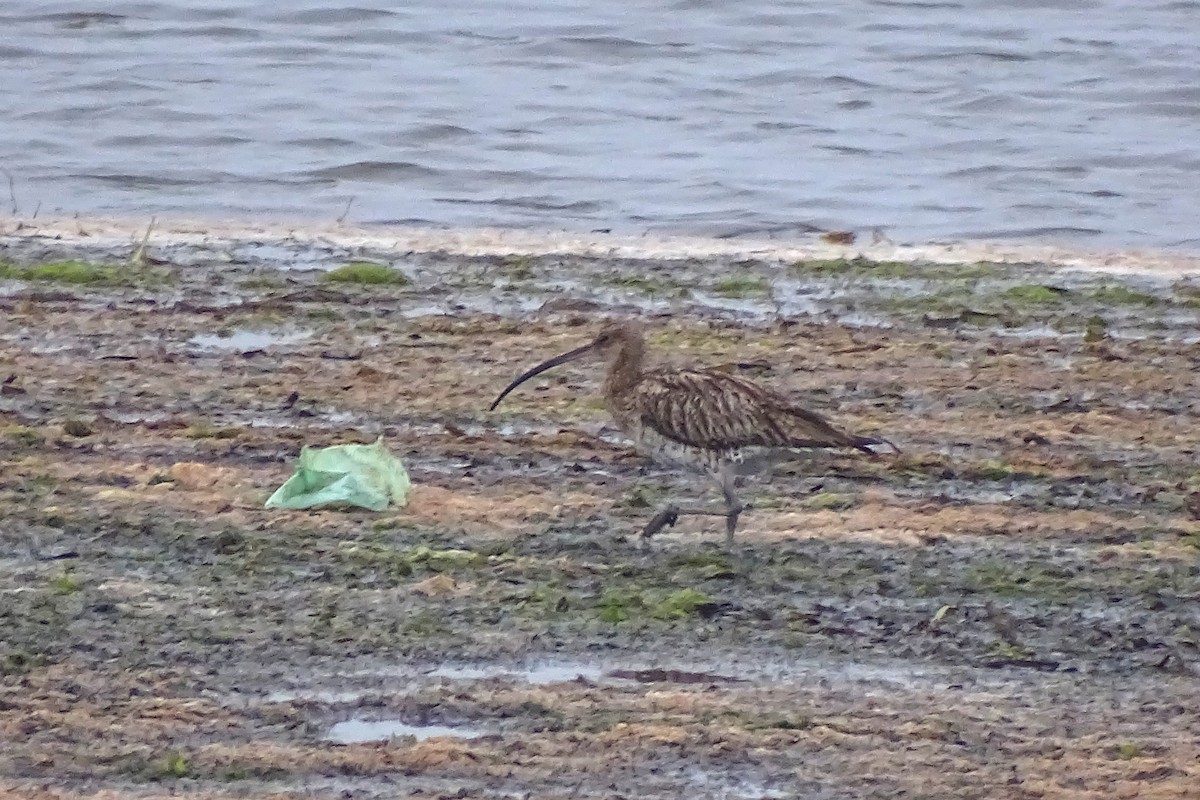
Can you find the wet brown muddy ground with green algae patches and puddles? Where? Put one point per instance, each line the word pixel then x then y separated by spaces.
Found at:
pixel 1011 609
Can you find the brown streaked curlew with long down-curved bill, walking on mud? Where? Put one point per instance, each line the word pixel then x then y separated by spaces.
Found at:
pixel 699 418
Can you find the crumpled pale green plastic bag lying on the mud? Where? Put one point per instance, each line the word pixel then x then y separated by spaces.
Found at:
pixel 358 476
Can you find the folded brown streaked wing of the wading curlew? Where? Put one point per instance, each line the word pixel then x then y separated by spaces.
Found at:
pixel 711 410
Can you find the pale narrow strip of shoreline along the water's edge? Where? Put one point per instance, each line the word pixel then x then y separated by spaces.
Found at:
pixel 101 232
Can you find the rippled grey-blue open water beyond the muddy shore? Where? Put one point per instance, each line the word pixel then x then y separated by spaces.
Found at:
pixel 1071 122
